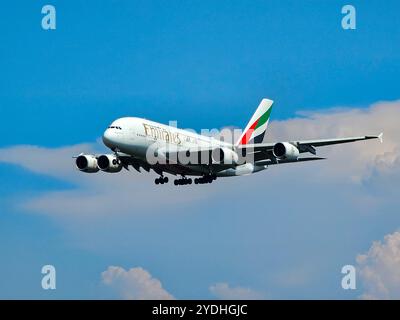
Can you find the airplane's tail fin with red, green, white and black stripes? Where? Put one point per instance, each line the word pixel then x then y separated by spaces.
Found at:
pixel 258 123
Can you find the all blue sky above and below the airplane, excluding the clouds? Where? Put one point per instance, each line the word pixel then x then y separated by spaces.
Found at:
pixel 206 64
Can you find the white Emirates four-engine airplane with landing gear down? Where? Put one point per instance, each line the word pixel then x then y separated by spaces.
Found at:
pixel 148 145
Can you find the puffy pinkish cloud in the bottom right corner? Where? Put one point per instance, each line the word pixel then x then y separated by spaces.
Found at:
pixel 379 269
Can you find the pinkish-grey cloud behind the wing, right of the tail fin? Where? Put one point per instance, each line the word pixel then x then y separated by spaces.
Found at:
pixel 353 161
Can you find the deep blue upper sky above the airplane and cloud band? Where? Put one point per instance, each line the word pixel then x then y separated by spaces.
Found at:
pixel 182 61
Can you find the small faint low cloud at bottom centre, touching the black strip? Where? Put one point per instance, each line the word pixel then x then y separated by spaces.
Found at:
pixel 225 292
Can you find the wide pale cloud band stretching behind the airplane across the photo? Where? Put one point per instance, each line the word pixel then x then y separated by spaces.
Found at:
pixel 100 194
